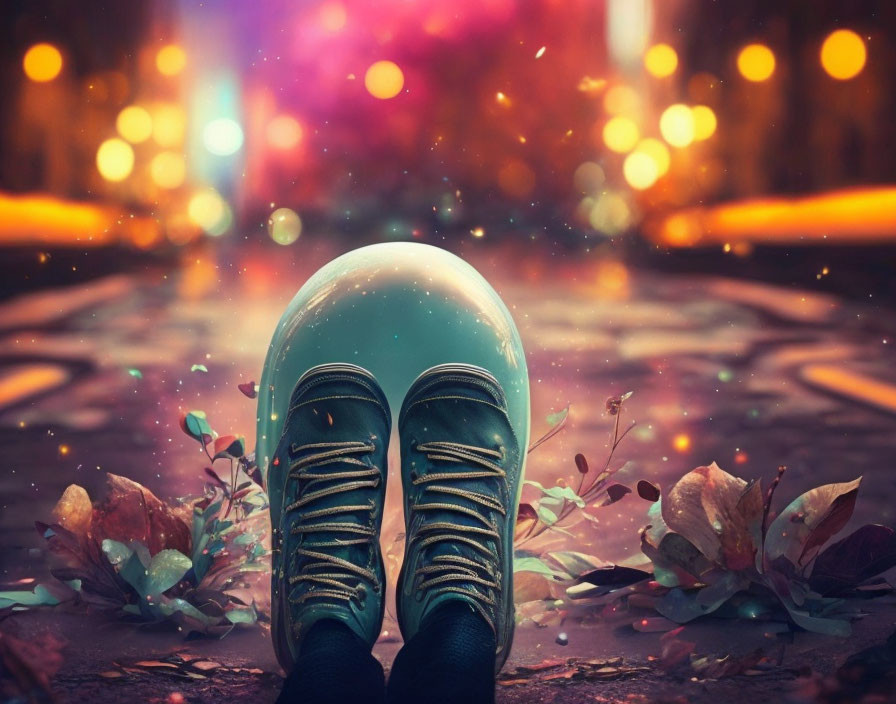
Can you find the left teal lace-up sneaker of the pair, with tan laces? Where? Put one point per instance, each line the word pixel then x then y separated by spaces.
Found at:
pixel 326 487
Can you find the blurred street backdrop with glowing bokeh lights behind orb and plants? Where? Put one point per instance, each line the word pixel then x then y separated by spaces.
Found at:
pixel 693 200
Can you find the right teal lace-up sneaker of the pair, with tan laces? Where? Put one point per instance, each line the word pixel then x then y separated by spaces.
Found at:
pixel 461 474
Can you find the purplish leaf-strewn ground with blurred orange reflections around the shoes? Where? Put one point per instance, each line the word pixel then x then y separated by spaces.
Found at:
pixel 742 373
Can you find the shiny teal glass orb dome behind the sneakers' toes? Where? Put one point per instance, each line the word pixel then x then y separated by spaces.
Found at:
pixel 396 309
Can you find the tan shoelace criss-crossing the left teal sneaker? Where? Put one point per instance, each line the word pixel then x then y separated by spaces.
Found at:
pixel 332 576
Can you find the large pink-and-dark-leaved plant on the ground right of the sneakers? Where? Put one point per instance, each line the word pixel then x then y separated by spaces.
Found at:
pixel 713 548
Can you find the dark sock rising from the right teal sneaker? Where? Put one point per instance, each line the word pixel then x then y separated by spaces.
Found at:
pixel 451 659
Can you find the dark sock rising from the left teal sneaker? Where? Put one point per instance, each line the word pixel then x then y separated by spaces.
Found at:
pixel 334 666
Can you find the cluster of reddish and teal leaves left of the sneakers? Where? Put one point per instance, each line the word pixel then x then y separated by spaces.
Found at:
pixel 190 564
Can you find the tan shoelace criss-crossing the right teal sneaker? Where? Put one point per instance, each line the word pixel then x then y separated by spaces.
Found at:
pixel 448 573
